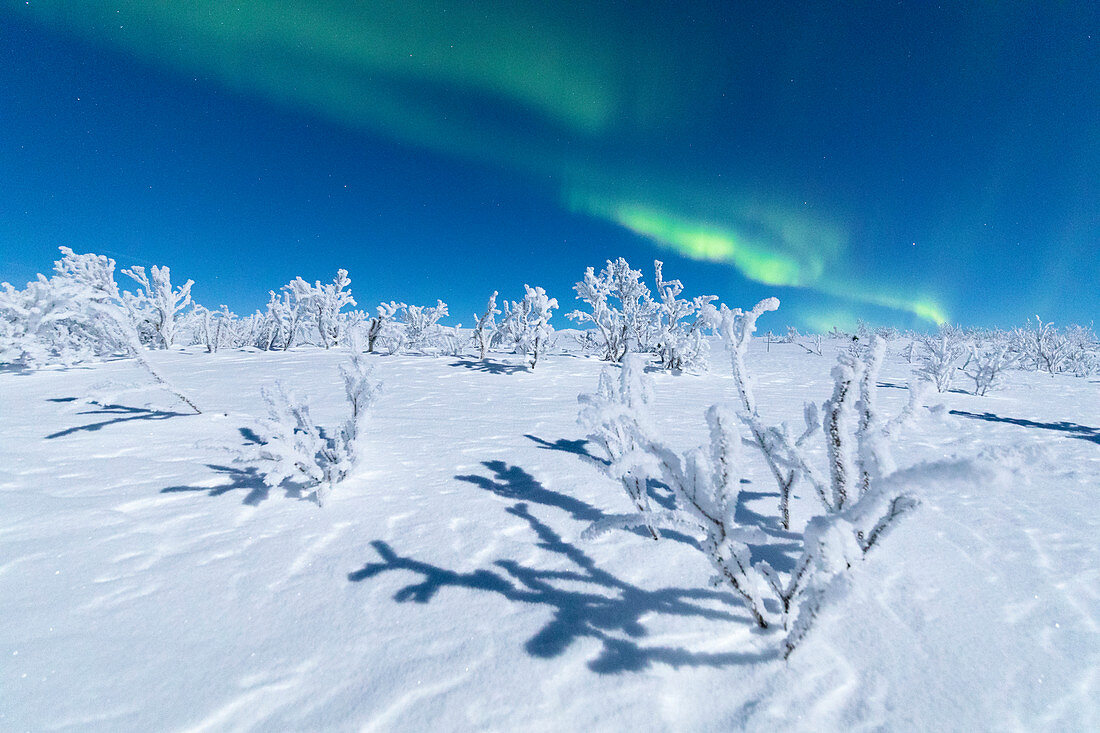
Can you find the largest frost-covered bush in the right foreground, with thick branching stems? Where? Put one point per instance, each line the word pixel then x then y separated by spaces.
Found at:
pixel 863 499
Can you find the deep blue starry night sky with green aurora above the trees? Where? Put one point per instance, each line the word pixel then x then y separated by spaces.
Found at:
pixel 901 162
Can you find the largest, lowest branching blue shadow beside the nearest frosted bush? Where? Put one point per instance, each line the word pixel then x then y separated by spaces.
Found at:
pixel 611 612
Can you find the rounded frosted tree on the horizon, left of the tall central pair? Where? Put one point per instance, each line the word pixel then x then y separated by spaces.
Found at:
pixel 623 327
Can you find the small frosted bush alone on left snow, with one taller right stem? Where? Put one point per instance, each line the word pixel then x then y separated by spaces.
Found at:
pixel 293 448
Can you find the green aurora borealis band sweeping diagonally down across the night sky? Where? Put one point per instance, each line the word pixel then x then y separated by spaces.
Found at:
pixel 618 108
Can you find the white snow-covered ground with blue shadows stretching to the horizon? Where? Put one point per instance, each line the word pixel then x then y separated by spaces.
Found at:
pixel 149 583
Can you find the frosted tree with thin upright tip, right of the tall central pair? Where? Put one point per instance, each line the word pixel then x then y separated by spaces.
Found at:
pixel 680 324
